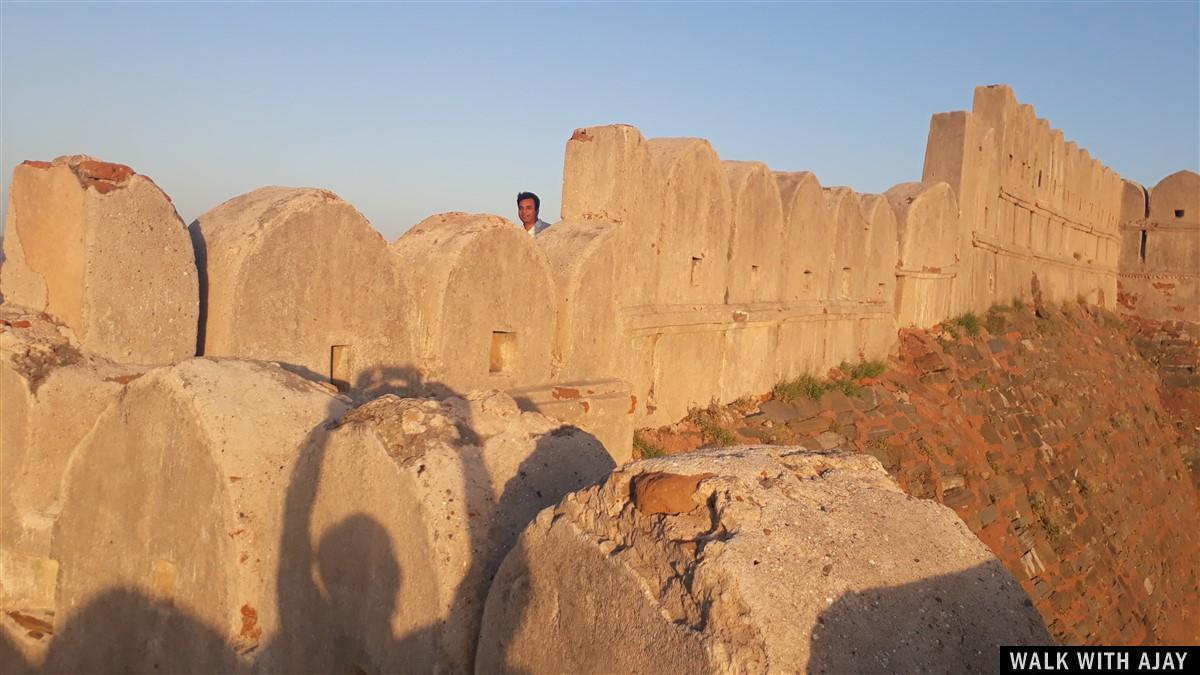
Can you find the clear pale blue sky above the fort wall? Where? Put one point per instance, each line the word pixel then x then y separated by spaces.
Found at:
pixel 410 110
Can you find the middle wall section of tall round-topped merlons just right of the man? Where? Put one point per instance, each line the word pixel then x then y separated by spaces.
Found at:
pixel 785 272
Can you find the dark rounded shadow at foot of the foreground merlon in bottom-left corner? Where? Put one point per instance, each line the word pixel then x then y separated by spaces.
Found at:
pixel 127 631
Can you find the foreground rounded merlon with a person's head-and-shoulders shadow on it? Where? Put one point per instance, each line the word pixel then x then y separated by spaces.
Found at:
pixel 406 513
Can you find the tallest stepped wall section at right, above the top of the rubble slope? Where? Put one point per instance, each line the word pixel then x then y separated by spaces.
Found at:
pixel 1030 204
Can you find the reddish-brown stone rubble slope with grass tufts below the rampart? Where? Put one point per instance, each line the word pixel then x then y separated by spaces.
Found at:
pixel 1053 438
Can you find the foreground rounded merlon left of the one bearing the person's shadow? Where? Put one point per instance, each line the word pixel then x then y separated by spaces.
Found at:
pixel 183 541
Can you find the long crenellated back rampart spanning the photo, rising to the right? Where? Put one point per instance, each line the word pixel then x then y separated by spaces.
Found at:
pixel 675 278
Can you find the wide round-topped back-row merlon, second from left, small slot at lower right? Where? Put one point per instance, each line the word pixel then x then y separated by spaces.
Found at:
pixel 299 277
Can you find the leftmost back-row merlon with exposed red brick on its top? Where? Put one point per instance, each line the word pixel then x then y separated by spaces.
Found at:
pixel 103 250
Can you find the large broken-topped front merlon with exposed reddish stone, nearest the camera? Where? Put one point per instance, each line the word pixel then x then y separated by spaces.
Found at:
pixel 751 560
